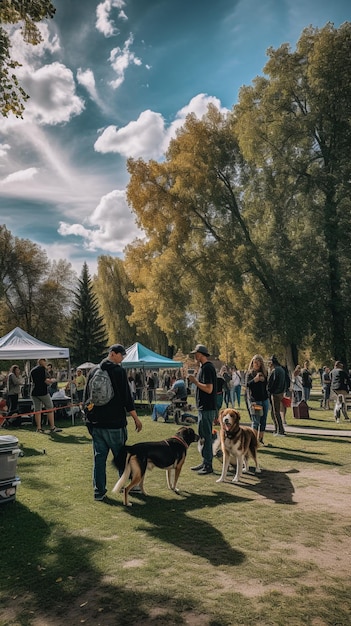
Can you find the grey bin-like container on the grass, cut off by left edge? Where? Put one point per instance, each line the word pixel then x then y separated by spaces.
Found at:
pixel 9 453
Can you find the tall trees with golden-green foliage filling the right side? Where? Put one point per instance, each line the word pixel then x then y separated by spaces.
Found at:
pixel 248 217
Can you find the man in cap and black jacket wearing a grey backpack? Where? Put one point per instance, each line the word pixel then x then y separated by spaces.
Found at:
pixel 108 423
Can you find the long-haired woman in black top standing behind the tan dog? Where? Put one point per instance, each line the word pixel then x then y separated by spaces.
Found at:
pixel 257 395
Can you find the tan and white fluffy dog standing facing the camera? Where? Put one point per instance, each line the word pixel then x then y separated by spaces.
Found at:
pixel 238 444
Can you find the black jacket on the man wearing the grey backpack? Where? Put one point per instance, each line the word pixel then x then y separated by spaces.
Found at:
pixel 114 413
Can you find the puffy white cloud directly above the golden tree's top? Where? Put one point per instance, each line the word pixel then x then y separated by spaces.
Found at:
pixel 148 137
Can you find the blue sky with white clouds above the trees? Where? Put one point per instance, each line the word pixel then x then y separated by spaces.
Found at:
pixel 114 79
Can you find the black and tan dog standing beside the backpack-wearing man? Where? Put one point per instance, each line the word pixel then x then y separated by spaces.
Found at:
pixel 168 454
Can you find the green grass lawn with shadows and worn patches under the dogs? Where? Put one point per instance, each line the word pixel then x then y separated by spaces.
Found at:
pixel 217 554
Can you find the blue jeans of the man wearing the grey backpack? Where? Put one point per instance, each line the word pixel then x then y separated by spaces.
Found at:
pixel 104 440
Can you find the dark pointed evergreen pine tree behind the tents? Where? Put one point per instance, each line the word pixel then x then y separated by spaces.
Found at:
pixel 87 335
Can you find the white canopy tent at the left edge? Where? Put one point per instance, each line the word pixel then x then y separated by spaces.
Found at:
pixel 18 345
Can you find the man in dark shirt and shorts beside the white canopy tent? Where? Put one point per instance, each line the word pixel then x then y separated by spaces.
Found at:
pixel 41 396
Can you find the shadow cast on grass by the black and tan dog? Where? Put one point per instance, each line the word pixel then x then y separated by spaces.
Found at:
pixel 189 533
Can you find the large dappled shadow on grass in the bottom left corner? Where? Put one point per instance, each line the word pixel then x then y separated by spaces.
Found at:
pixel 48 577
